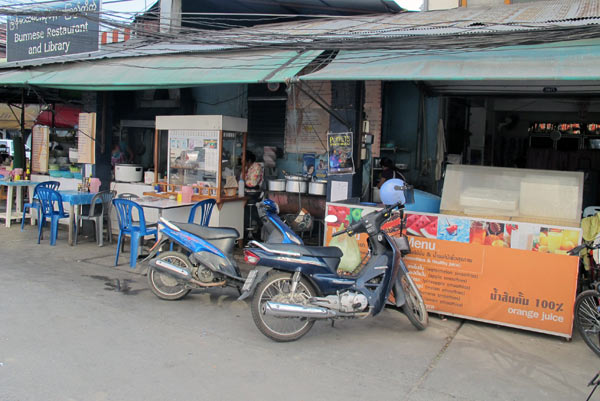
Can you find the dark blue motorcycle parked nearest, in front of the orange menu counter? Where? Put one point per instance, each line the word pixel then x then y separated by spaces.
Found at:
pixel 294 285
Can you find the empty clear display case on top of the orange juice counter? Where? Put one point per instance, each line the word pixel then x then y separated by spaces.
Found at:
pixel 545 196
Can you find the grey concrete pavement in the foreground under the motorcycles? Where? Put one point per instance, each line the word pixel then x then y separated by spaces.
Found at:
pixel 72 327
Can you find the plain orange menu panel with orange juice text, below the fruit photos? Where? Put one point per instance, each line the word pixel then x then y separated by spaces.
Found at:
pixel 513 287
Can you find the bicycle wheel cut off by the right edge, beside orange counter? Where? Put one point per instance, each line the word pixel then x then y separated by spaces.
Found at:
pixel 587 318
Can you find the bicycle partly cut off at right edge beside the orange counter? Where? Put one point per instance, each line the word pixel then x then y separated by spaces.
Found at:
pixel 587 303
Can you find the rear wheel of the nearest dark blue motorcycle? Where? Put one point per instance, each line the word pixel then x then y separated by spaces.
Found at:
pixel 277 288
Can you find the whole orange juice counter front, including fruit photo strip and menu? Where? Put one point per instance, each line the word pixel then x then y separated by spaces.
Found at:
pixel 502 272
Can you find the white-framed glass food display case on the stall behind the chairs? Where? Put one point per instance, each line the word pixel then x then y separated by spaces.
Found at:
pixel 204 152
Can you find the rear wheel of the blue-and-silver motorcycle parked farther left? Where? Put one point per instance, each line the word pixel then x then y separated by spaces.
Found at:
pixel 164 286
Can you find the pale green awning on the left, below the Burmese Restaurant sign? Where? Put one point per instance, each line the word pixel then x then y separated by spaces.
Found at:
pixel 169 71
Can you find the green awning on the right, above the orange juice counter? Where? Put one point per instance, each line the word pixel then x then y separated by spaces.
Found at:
pixel 575 60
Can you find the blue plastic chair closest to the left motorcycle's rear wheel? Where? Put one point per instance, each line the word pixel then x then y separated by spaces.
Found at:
pixel 127 226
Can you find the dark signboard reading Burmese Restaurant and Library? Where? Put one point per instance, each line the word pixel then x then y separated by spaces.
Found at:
pixel 61 29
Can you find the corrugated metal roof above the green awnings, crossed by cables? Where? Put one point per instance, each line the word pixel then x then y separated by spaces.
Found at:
pixel 379 30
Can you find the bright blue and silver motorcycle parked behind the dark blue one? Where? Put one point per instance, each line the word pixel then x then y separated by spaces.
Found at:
pixel 206 256
